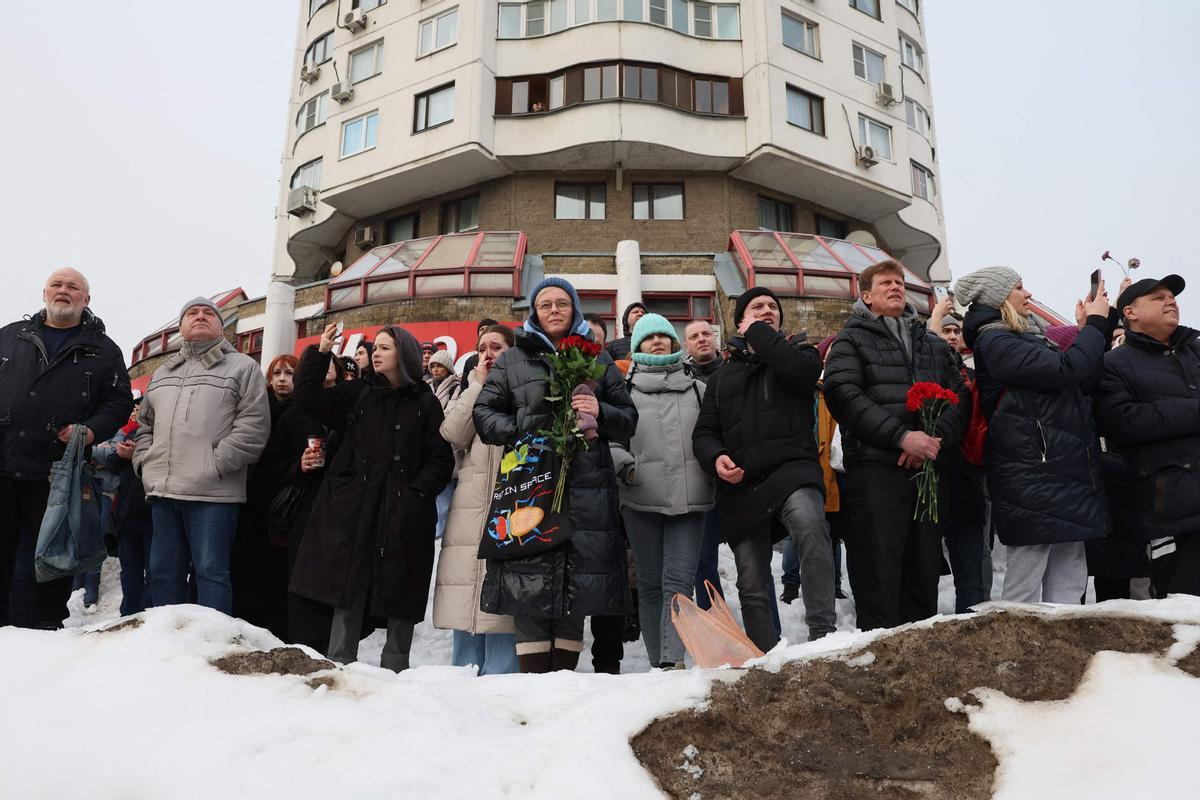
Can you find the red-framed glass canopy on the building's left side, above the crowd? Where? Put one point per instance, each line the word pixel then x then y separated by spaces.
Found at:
pixel 454 264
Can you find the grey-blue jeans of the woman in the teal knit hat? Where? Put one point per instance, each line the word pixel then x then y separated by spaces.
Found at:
pixel 667 550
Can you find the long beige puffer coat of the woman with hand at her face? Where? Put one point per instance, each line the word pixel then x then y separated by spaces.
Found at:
pixel 460 573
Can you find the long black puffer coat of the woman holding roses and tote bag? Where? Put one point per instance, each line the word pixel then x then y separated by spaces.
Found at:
pixel 586 575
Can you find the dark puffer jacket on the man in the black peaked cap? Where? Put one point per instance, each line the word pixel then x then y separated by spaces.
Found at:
pixel 1149 411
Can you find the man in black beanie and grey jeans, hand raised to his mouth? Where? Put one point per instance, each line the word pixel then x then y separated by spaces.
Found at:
pixel 757 435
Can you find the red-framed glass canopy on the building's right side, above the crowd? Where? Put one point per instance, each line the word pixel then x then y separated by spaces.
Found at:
pixel 809 266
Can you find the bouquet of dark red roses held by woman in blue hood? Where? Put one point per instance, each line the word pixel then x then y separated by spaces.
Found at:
pixel 574 370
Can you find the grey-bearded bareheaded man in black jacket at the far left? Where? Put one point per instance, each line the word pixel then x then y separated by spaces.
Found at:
pixel 58 370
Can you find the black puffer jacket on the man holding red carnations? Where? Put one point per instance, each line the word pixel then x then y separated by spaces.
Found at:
pixel 867 383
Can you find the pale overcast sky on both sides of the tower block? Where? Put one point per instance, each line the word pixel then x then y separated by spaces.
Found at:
pixel 142 145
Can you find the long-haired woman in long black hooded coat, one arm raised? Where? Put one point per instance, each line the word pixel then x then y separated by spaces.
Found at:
pixel 371 532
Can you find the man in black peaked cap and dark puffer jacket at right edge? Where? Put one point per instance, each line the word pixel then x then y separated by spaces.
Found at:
pixel 1149 411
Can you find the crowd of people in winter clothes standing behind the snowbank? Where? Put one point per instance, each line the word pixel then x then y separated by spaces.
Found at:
pixel 313 501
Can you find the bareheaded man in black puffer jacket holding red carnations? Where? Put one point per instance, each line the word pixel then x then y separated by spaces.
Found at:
pixel 893 561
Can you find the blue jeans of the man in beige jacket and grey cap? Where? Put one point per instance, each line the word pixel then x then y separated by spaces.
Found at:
pixel 197 533
